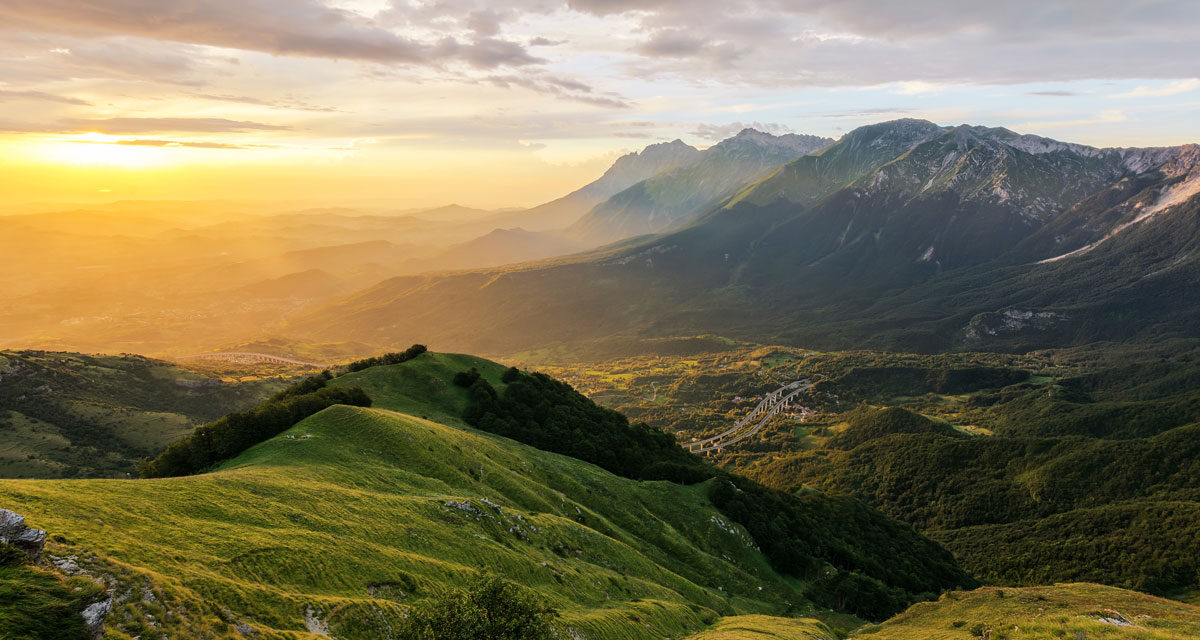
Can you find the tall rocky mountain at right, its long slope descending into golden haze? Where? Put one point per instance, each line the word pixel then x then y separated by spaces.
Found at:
pixel 903 235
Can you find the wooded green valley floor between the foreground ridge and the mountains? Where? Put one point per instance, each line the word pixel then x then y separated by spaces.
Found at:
pixel 1037 469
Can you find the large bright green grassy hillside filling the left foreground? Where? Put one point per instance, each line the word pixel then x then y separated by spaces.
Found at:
pixel 361 507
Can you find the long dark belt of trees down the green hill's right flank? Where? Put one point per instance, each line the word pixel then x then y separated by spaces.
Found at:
pixel 837 545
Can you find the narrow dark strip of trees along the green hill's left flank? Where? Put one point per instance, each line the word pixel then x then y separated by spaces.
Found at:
pixel 227 438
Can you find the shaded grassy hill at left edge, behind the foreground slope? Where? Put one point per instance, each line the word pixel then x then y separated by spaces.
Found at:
pixel 71 415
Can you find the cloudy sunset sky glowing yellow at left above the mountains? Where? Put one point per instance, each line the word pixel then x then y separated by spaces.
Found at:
pixel 412 104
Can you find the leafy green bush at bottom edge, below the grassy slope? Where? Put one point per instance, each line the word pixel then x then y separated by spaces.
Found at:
pixel 489 609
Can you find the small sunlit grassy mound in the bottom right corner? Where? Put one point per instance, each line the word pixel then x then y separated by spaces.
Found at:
pixel 1072 611
